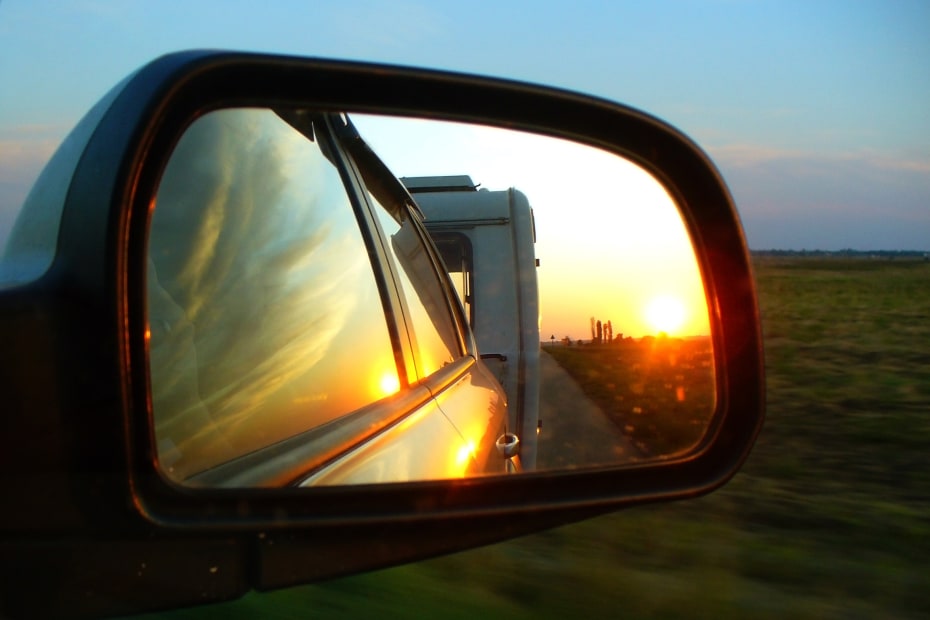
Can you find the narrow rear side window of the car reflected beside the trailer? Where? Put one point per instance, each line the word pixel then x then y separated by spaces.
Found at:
pixel 437 339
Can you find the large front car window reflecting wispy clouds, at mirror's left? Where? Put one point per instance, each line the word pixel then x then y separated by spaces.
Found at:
pixel 260 294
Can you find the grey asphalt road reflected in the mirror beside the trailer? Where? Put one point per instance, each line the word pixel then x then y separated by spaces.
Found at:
pixel 575 432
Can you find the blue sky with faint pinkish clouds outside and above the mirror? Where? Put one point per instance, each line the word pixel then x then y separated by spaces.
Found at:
pixel 816 112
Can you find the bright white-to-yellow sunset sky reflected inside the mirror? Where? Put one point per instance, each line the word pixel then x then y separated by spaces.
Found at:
pixel 609 238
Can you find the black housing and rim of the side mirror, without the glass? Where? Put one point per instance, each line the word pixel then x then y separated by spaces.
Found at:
pixel 85 499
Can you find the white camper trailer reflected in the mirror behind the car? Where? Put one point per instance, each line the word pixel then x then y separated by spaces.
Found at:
pixel 486 239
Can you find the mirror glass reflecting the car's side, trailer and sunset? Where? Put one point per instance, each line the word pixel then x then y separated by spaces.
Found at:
pixel 307 328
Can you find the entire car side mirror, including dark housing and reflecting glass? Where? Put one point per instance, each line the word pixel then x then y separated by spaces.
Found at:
pixel 250 344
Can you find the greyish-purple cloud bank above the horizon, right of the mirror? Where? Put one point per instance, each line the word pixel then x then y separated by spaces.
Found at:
pixel 795 198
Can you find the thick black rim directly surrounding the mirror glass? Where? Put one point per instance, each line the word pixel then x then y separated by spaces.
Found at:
pixel 179 88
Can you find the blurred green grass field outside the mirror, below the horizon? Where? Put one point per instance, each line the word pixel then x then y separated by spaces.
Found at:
pixel 829 518
